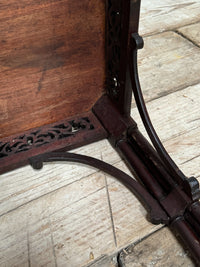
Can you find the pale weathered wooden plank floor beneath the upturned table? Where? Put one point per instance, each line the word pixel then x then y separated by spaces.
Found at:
pixel 69 215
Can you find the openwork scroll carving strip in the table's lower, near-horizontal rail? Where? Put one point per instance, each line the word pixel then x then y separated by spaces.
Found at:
pixel 43 136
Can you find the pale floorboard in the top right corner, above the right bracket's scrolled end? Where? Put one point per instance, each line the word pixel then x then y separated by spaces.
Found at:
pixel 158 16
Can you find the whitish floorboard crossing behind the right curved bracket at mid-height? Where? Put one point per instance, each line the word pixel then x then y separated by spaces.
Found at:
pixel 174 114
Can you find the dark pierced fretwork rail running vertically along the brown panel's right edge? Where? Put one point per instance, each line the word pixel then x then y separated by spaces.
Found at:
pixel 117 76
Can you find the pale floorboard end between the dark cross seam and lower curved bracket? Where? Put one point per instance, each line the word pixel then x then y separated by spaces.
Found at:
pixel 129 216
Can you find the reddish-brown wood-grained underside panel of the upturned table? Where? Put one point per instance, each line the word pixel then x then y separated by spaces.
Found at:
pixel 51 61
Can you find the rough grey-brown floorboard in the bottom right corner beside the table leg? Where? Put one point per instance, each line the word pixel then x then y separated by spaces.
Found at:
pixel 152 252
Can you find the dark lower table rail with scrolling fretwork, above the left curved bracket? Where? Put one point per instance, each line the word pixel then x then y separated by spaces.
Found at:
pixel 64 135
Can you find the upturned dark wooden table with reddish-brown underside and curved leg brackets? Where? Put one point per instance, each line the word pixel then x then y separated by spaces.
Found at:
pixel 68 72
